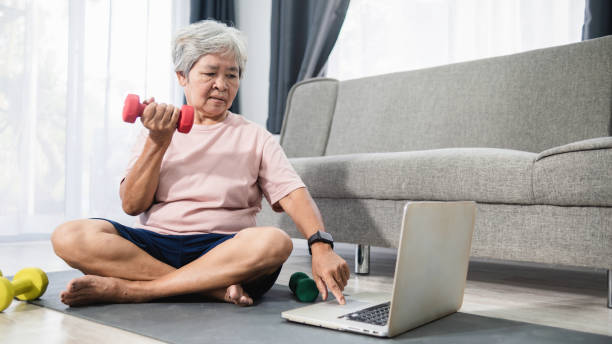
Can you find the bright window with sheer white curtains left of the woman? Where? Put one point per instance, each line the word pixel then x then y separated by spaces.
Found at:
pixel 65 70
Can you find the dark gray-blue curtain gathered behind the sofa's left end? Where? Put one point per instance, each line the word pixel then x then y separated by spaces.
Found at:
pixel 303 34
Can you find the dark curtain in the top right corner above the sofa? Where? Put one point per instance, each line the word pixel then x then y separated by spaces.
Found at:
pixel 597 19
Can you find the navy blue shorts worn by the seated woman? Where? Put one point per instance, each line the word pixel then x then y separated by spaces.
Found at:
pixel 180 250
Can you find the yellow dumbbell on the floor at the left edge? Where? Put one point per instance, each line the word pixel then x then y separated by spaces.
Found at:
pixel 28 284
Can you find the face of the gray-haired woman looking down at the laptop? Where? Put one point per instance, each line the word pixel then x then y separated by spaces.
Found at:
pixel 211 87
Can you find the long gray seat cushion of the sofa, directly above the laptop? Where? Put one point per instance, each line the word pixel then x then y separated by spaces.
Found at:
pixel 481 174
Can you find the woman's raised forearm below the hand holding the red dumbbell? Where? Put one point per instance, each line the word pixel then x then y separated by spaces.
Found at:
pixel 138 189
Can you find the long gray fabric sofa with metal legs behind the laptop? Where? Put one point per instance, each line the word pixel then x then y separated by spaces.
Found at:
pixel 526 136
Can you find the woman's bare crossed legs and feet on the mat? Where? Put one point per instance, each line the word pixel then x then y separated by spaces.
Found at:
pixel 118 271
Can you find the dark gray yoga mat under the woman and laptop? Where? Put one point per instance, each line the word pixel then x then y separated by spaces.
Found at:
pixel 190 320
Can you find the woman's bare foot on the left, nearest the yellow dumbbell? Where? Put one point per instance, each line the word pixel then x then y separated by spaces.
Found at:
pixel 91 289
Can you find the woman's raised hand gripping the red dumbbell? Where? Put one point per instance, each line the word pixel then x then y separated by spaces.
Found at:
pixel 160 119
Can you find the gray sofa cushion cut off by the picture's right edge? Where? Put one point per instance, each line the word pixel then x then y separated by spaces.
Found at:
pixel 576 174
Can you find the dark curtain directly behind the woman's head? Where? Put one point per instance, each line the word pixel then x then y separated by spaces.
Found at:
pixel 219 10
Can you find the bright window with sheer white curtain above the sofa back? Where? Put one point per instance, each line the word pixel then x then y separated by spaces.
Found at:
pixel 386 36
